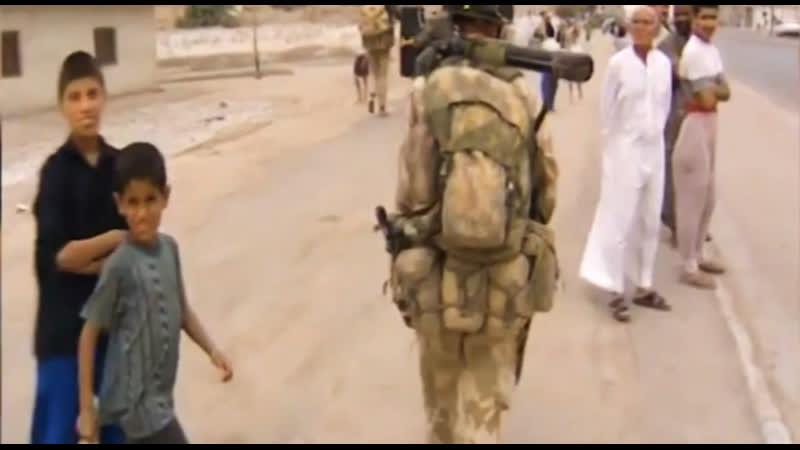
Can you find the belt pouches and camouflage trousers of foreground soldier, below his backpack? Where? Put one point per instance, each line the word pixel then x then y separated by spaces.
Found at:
pixel 472 322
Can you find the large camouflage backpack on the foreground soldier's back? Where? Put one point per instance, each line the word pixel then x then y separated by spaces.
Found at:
pixel 483 131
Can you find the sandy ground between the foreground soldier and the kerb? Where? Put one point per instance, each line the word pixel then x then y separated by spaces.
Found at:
pixel 665 378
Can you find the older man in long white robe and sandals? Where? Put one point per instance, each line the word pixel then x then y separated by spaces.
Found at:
pixel 621 249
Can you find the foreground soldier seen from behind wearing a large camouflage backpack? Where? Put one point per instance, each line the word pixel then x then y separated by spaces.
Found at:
pixel 472 257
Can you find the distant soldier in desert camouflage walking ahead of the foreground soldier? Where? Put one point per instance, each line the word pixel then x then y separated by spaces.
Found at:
pixel 377 36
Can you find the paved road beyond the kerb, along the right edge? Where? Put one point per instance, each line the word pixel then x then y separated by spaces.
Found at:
pixel 759 236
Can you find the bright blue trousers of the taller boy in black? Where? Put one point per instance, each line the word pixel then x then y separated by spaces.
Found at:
pixel 56 408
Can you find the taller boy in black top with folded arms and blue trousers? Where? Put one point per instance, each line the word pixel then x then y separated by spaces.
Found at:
pixel 77 227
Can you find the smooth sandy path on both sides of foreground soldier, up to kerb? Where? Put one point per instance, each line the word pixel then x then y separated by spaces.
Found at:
pixel 321 356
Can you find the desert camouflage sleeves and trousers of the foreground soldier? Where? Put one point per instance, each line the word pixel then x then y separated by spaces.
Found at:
pixel 467 377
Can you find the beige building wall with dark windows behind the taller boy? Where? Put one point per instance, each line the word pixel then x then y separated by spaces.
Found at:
pixel 49 33
